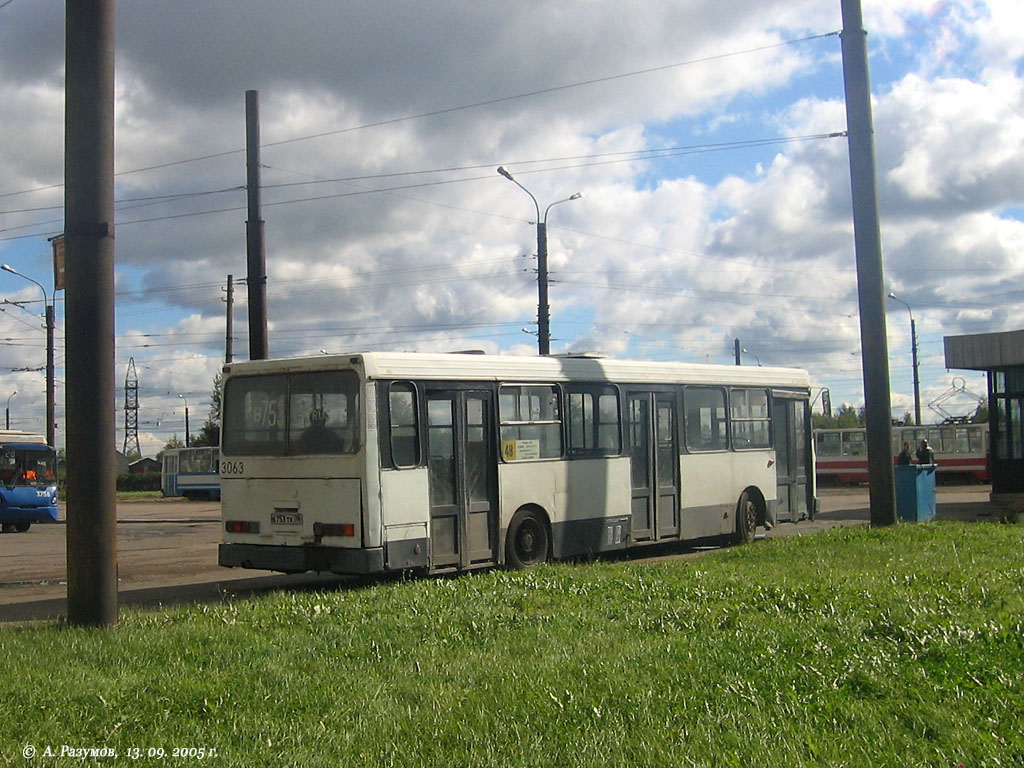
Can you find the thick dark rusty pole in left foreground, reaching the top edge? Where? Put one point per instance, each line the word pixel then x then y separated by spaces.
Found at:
pixel 93 560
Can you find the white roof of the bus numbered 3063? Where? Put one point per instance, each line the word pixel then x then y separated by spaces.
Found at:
pixel 467 367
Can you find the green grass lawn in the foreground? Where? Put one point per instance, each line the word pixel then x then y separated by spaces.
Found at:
pixel 851 648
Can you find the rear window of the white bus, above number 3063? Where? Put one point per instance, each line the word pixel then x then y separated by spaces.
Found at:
pixel 298 414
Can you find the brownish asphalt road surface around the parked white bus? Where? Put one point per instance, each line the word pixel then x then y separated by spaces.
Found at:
pixel 167 552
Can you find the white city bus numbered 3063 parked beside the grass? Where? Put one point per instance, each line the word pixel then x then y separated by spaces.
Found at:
pixel 381 462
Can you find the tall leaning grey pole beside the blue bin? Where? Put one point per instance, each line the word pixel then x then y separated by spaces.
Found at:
pixel 868 241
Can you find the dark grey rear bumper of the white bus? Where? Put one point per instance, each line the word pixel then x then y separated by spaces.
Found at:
pixel 302 560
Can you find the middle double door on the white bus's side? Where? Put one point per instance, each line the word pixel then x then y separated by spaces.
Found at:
pixel 654 464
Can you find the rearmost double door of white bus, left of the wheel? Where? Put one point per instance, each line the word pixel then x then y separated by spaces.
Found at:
pixel 463 471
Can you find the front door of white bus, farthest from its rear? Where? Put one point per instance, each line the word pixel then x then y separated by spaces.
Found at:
pixel 792 458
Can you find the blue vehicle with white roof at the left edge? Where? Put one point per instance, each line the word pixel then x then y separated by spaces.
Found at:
pixel 28 482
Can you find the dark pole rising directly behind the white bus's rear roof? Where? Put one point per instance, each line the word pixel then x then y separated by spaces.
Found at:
pixel 255 249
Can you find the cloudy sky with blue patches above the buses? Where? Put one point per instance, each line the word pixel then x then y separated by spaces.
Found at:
pixel 702 135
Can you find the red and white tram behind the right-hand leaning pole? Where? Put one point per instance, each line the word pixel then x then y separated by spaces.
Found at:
pixel 961 451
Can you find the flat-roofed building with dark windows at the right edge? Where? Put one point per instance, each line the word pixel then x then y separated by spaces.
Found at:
pixel 1002 356
